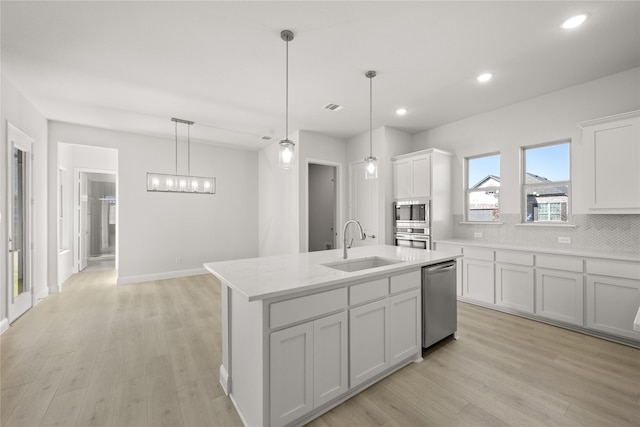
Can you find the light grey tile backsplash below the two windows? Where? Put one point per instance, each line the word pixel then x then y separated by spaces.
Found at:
pixel 615 233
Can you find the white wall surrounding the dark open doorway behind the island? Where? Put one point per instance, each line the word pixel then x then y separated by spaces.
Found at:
pixel 321 149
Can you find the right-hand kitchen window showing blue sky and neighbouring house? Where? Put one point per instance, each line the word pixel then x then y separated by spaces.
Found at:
pixel 546 183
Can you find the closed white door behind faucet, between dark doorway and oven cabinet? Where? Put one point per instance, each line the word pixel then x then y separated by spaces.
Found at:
pixel 363 205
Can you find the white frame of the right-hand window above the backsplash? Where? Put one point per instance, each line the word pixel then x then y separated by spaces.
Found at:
pixel 524 186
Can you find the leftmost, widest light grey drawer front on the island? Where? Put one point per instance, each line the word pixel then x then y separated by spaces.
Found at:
pixel 298 309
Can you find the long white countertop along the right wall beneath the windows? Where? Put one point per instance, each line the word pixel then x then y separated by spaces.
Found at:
pixel 585 253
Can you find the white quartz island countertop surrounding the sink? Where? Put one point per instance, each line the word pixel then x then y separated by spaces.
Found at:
pixel 268 277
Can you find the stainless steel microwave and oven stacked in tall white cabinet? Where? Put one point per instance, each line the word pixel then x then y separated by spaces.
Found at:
pixel 411 223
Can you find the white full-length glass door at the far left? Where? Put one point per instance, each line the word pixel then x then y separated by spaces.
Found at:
pixel 19 290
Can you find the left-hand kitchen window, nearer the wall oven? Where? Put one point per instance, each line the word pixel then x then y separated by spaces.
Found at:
pixel 483 188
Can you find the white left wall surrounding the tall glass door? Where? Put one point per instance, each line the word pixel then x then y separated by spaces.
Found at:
pixel 16 109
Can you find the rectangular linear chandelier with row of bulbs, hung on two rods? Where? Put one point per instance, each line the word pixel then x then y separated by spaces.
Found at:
pixel 167 183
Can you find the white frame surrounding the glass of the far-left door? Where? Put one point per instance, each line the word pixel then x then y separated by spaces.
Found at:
pixel 17 137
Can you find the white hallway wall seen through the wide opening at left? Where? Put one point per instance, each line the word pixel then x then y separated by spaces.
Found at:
pixel 72 157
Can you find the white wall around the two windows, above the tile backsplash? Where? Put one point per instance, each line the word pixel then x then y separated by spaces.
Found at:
pixel 547 118
